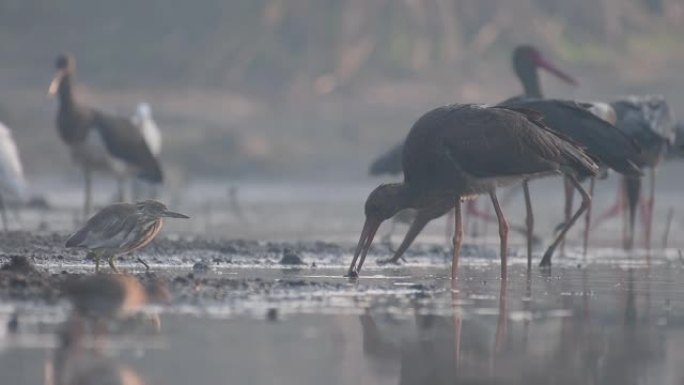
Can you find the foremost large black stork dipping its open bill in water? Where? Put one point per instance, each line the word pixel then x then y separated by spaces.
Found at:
pixel 459 151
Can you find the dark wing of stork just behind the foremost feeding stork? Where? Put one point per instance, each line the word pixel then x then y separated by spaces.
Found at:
pixel 603 141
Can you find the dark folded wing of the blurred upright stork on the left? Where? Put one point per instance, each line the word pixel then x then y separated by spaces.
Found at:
pixel 125 141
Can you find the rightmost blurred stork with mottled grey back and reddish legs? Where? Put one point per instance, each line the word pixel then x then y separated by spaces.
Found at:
pixel 650 122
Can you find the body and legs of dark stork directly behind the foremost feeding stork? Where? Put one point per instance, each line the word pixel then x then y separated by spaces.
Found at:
pixel 606 144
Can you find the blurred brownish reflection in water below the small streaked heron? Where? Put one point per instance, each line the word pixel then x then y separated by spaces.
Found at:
pixel 102 302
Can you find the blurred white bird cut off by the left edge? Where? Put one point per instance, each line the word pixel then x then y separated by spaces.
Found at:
pixel 12 181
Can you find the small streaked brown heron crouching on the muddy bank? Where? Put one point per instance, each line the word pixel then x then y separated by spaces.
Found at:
pixel 121 228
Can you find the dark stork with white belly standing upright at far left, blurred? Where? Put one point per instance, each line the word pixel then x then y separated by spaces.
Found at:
pixel 98 141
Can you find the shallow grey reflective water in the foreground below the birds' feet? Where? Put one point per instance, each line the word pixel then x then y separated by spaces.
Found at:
pixel 602 323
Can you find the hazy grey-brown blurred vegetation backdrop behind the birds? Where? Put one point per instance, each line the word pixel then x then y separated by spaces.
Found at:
pixel 313 88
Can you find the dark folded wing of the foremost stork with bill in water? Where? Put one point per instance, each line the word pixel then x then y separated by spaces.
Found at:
pixel 491 142
